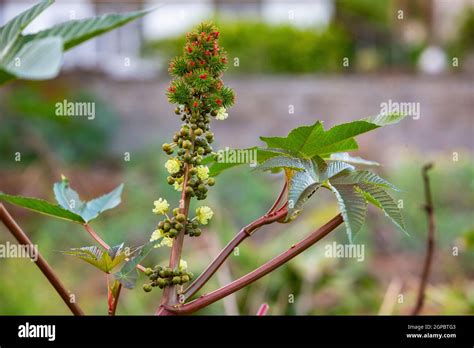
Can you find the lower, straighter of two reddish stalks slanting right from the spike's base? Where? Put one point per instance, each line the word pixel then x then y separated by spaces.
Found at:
pixel 207 299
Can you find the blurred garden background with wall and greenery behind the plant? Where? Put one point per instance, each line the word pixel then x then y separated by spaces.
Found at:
pixel 290 63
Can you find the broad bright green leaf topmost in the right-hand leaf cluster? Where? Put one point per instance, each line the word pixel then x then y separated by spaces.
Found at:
pixel 308 141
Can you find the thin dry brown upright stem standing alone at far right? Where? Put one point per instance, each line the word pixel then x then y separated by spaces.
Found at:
pixel 430 241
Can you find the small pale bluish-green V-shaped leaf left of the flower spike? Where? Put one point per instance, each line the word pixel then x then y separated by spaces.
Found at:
pixel 69 200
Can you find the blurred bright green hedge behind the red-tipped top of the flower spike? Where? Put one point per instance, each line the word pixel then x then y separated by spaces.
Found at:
pixel 264 48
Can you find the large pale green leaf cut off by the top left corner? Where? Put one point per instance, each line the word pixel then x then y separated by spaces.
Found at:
pixel 39 56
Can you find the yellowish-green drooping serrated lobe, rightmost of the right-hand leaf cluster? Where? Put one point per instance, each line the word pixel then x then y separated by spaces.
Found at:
pixel 382 200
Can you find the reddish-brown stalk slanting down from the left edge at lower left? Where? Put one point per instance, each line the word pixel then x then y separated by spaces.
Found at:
pixel 45 268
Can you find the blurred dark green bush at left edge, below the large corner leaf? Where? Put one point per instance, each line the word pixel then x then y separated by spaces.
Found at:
pixel 31 127
